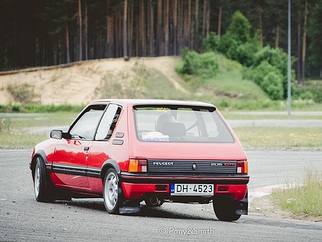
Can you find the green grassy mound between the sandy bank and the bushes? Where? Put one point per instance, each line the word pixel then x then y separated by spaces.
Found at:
pixel 227 89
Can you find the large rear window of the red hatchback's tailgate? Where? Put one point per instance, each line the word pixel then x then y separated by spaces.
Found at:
pixel 180 124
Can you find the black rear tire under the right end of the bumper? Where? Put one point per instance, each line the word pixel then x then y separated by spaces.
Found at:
pixel 225 209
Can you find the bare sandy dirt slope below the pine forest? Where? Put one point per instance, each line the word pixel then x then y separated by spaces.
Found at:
pixel 80 83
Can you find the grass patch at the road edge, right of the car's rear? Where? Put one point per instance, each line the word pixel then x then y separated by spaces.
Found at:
pixel 302 199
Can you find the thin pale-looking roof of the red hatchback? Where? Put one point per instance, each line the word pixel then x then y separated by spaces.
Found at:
pixel 135 102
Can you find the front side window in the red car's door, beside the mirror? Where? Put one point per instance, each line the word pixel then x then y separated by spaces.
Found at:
pixel 86 125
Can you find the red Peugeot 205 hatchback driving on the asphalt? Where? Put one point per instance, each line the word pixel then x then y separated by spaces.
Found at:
pixel 129 151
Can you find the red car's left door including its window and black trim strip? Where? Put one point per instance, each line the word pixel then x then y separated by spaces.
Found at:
pixel 71 154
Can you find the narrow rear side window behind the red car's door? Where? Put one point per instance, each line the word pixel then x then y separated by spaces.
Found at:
pixel 108 122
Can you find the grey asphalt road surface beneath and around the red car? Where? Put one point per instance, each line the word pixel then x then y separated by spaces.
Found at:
pixel 24 219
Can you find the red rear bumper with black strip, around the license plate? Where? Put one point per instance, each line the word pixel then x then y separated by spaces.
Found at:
pixel 137 186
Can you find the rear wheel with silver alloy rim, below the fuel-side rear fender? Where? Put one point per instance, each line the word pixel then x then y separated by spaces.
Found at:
pixel 112 193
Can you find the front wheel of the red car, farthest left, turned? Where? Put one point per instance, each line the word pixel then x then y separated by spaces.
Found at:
pixel 41 184
